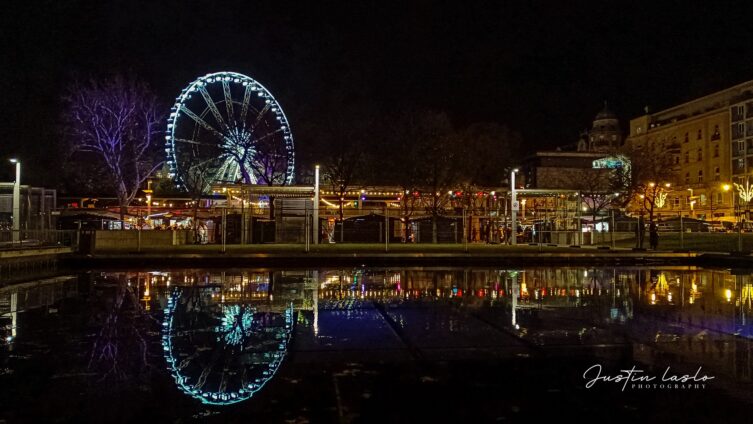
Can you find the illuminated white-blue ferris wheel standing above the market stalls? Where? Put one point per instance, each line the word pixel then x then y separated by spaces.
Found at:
pixel 226 127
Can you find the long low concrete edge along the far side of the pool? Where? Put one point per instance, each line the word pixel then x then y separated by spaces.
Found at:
pixel 514 257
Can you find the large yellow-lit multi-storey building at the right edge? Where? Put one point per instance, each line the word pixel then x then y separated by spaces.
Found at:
pixel 706 144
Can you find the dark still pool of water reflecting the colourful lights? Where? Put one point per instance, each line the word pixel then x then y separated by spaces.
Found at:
pixel 377 345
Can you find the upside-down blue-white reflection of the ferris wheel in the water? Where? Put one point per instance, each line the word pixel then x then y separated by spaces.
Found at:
pixel 222 352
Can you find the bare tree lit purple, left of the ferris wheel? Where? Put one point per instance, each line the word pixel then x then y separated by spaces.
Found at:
pixel 117 120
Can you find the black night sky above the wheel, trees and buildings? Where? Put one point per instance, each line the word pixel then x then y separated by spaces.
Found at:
pixel 541 67
